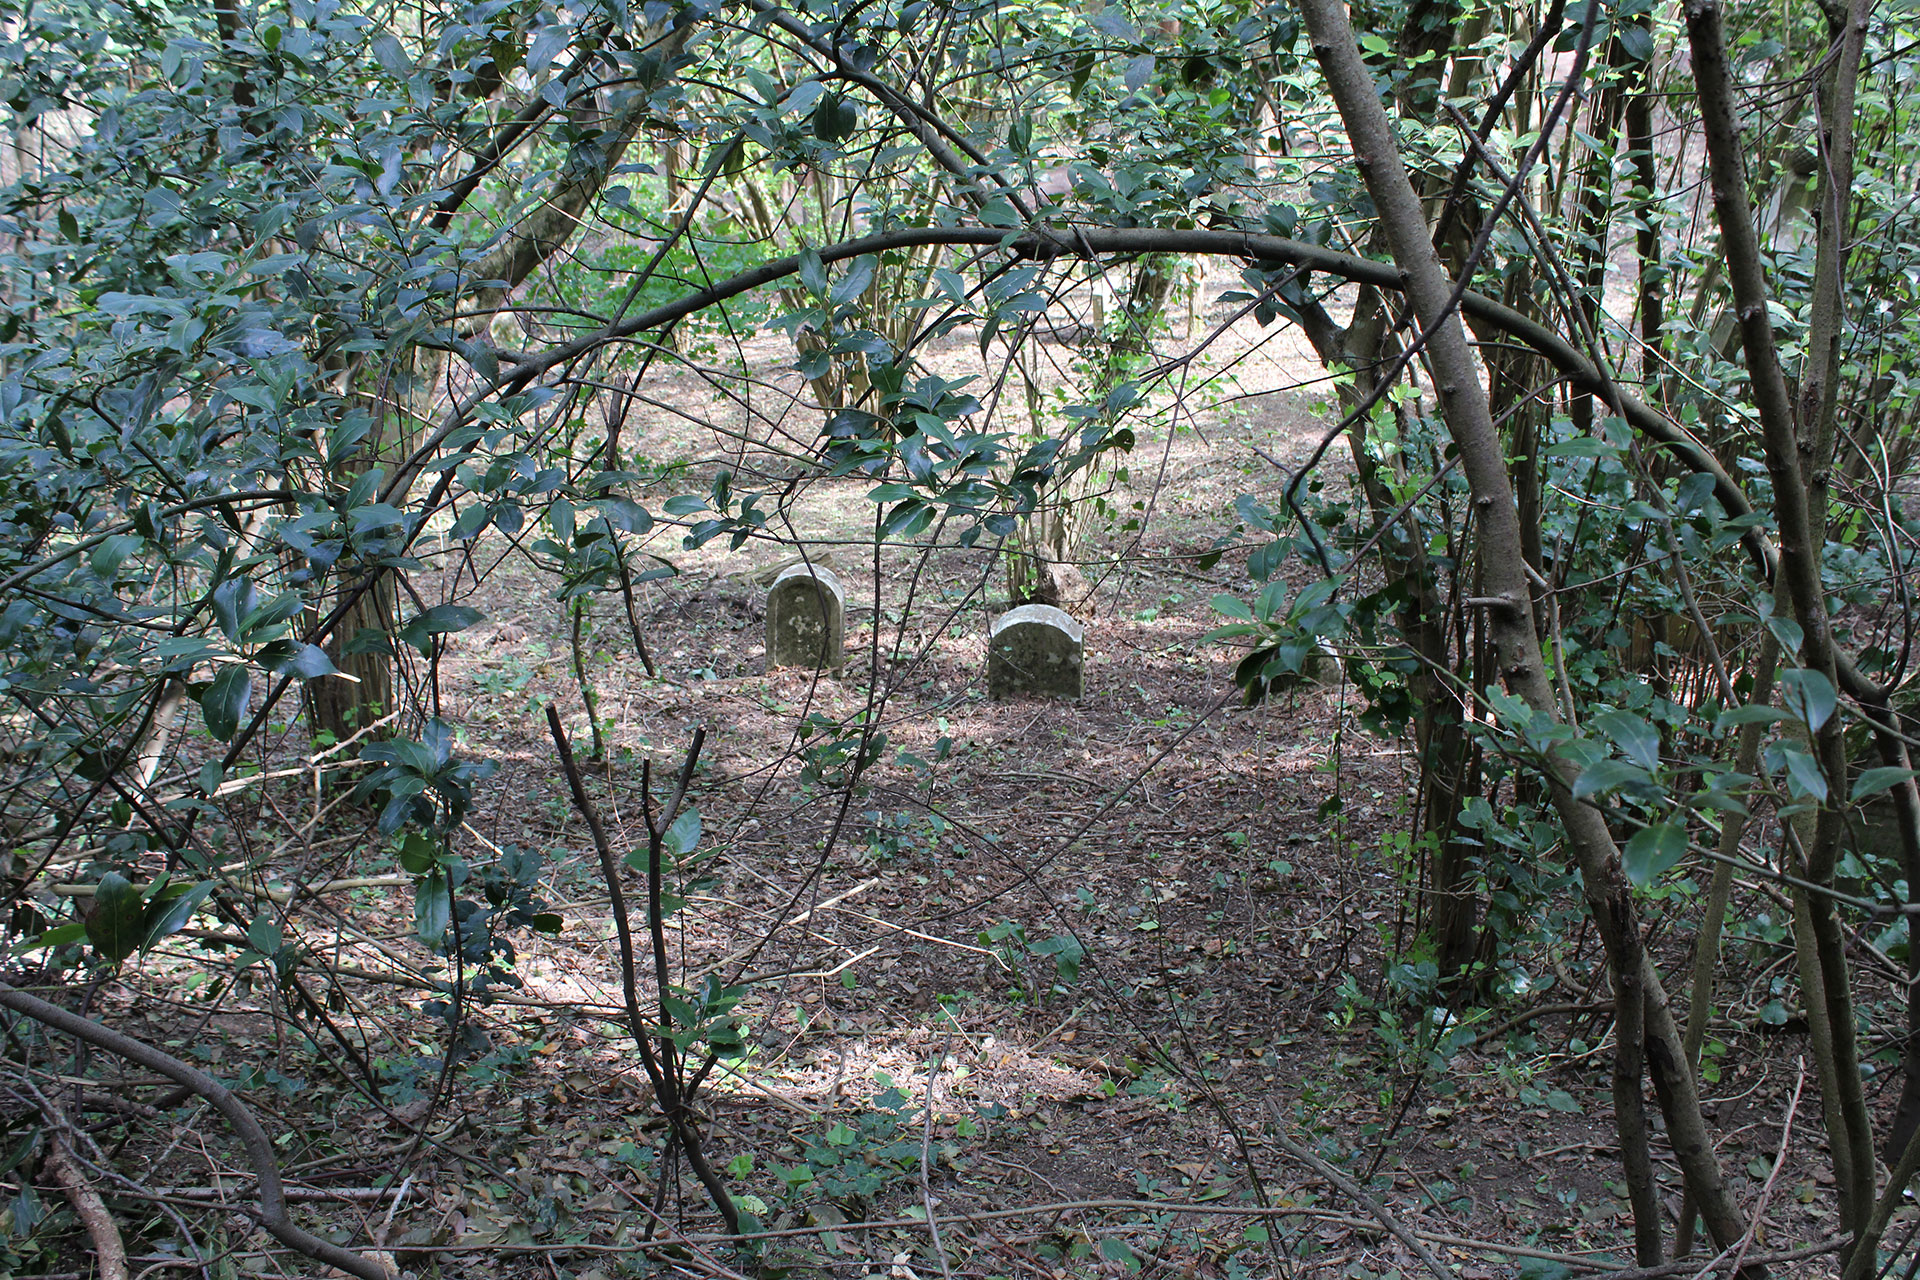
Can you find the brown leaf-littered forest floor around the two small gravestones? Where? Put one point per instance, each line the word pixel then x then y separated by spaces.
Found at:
pixel 1236 926
